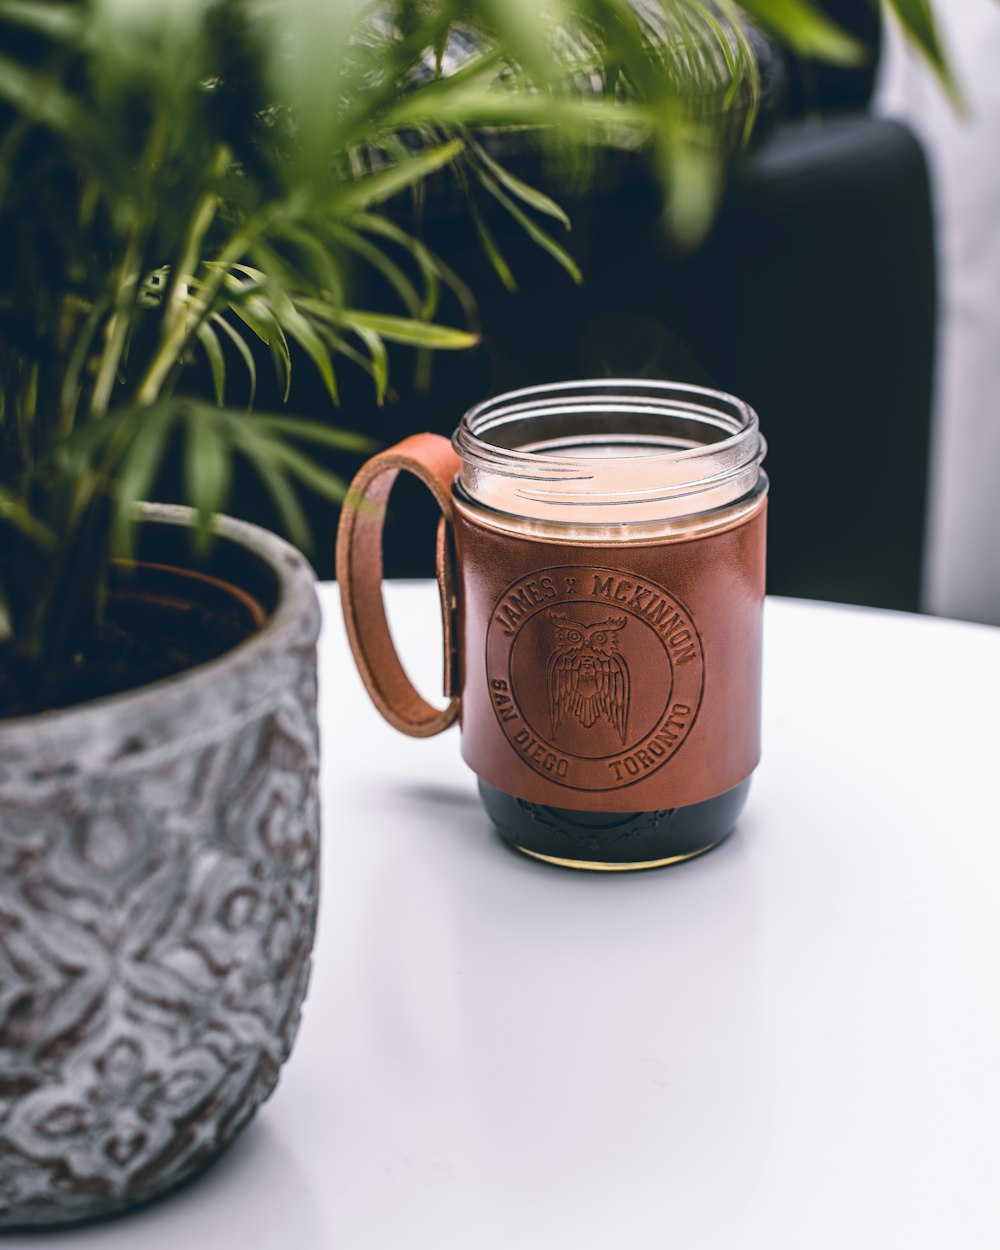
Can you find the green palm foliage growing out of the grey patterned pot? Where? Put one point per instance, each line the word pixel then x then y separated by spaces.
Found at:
pixel 188 181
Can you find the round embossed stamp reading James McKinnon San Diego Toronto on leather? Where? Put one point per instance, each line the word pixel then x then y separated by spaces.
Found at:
pixel 596 674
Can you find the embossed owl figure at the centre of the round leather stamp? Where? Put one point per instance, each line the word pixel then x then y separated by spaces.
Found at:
pixel 586 676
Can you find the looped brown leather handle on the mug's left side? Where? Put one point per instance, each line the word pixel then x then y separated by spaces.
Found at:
pixel 359 572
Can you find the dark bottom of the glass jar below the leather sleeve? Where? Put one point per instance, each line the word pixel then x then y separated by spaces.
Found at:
pixel 614 841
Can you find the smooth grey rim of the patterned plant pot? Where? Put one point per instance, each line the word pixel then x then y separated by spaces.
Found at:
pixel 294 623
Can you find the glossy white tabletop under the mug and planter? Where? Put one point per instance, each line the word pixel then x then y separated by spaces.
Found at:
pixel 793 1042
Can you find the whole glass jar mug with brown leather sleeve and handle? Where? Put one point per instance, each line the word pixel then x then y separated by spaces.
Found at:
pixel 601 561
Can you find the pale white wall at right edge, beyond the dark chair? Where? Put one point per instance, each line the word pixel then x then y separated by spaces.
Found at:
pixel 963 571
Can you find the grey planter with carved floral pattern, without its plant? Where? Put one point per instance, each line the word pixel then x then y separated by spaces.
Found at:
pixel 158 901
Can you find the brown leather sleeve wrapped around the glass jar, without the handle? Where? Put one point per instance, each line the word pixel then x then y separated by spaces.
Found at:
pixel 611 677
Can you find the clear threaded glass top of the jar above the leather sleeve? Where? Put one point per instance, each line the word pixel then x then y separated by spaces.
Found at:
pixel 697 449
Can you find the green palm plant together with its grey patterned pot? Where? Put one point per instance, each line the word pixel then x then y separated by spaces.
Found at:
pixel 201 182
